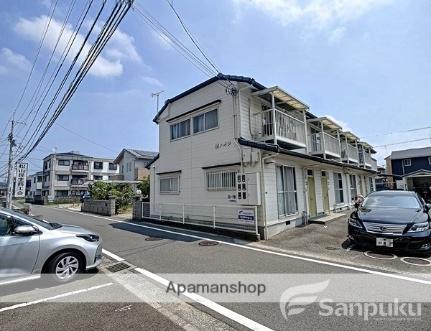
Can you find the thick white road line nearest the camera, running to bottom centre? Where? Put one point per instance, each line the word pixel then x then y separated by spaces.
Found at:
pixel 203 301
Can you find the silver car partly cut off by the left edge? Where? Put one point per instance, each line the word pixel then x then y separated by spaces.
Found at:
pixel 30 247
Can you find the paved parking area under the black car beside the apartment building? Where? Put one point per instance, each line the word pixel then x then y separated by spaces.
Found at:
pixel 330 242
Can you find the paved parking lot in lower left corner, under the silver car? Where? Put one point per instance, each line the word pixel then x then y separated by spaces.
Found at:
pixel 112 298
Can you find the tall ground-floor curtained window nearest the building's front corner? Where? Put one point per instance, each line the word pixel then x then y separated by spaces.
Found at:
pixel 286 191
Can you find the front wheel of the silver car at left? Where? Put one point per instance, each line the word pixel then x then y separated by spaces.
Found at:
pixel 65 267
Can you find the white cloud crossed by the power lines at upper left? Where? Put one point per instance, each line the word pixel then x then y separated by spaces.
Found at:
pixel 119 48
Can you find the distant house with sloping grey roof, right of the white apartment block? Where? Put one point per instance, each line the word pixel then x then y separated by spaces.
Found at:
pixel 132 164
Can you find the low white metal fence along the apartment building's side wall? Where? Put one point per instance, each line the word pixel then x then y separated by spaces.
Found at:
pixel 237 218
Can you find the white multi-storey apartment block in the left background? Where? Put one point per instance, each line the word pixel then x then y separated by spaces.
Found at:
pixel 68 174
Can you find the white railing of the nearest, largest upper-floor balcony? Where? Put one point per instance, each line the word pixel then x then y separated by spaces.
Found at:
pixel 287 128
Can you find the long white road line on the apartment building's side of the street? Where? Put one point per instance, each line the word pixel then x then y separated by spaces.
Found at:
pixel 307 259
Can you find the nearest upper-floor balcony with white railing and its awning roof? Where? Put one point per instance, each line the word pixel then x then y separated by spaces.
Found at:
pixel 283 121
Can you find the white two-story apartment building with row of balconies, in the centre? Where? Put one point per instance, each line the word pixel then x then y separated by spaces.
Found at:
pixel 231 141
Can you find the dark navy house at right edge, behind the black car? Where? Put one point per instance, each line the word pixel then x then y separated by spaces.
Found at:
pixel 410 169
